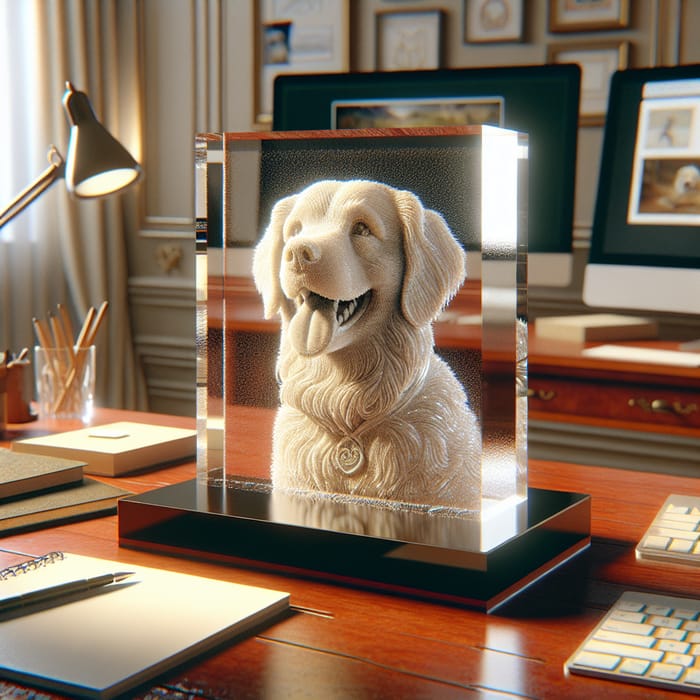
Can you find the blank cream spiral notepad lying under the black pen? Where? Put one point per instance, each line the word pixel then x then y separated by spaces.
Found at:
pixel 102 644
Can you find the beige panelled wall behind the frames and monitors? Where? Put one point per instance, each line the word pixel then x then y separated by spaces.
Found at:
pixel 198 72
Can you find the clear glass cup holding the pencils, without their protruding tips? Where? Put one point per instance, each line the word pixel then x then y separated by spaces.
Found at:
pixel 65 382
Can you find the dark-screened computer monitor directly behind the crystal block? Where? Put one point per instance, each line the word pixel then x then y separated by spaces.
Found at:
pixel 541 101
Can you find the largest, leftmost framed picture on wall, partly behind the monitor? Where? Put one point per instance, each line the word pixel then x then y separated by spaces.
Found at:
pixel 297 36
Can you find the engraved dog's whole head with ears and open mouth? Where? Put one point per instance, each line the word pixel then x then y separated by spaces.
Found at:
pixel 339 258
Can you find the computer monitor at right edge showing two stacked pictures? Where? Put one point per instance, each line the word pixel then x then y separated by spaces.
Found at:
pixel 645 244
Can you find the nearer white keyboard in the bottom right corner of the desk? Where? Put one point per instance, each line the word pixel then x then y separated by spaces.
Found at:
pixel 646 639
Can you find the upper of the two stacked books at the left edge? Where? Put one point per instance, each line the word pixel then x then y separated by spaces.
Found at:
pixel 22 473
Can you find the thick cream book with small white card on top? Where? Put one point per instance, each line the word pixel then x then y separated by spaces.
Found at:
pixel 116 448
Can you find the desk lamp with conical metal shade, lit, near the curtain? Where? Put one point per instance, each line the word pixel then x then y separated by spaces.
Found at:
pixel 96 164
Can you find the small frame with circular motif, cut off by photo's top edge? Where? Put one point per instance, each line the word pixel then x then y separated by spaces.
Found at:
pixel 493 20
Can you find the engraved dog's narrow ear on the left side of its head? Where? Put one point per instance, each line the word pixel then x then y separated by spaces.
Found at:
pixel 267 260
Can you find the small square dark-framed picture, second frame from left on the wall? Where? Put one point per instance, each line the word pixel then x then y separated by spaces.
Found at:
pixel 409 40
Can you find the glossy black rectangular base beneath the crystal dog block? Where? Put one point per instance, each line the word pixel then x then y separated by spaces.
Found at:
pixel 426 554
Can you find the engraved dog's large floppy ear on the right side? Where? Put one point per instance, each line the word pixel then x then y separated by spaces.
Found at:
pixel 435 261
